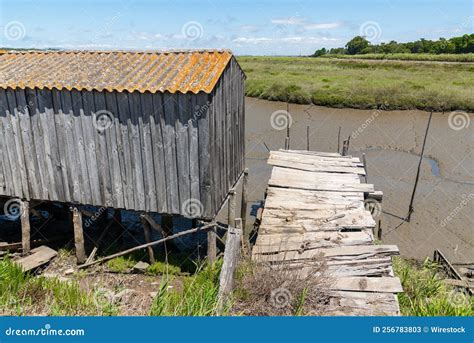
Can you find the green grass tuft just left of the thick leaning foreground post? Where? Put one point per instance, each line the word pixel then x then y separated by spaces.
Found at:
pixel 198 297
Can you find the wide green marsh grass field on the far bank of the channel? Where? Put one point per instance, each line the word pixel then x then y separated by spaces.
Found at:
pixel 361 84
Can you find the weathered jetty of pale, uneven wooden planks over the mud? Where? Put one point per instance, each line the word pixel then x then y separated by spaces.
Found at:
pixel 316 209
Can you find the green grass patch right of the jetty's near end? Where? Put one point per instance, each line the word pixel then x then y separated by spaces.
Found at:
pixel 425 294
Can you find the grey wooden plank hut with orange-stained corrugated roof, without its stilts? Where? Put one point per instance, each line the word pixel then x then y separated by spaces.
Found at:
pixel 155 132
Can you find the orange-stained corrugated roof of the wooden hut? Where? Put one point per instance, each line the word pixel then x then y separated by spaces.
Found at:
pixel 174 71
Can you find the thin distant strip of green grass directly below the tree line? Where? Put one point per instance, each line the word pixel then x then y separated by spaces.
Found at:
pixel 408 57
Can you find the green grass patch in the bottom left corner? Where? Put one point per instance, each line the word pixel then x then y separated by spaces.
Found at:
pixel 24 294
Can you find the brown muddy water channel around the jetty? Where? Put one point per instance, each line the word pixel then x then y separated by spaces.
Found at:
pixel 392 140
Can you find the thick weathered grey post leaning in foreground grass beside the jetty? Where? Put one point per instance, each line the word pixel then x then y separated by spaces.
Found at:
pixel 231 258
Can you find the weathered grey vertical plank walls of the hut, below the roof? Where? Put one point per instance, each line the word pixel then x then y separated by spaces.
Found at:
pixel 158 151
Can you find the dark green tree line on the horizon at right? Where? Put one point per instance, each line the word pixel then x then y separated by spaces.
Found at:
pixel 359 45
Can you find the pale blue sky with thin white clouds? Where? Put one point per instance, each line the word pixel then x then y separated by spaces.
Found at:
pixel 258 27
